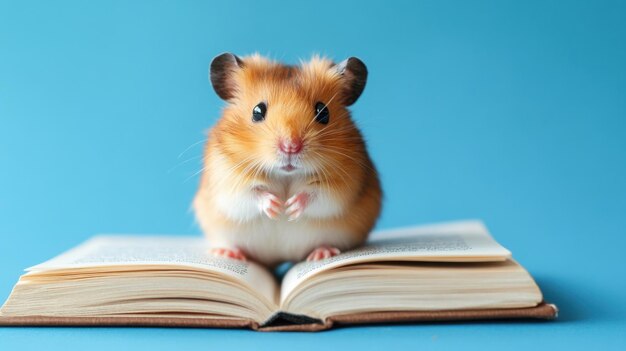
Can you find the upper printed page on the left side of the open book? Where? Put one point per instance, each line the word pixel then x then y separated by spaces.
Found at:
pixel 193 252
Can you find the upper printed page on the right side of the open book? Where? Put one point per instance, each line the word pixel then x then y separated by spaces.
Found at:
pixel 466 241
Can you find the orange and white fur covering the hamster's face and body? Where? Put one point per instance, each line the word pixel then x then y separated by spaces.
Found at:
pixel 241 155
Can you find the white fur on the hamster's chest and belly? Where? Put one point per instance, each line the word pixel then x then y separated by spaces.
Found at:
pixel 272 241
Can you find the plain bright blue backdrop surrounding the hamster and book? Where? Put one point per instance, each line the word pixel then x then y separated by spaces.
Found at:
pixel 509 111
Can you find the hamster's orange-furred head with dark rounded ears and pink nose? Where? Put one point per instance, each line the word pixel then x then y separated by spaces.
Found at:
pixel 288 120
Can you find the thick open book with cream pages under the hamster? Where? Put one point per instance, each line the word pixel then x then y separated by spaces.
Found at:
pixel 437 272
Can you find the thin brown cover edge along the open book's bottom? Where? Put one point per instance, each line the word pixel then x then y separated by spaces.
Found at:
pixel 543 311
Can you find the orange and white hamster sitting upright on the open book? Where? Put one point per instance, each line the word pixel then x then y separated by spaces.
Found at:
pixel 286 175
